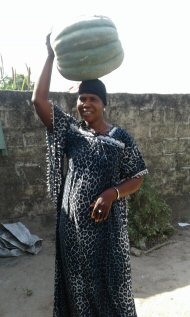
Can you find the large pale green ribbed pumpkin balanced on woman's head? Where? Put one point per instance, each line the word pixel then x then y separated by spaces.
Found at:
pixel 88 48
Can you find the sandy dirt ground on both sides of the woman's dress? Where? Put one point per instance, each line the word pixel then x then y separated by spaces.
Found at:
pixel 161 278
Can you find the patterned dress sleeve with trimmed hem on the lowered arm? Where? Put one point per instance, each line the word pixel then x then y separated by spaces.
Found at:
pixel 132 164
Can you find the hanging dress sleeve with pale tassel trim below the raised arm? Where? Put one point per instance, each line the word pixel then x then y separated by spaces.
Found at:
pixel 56 144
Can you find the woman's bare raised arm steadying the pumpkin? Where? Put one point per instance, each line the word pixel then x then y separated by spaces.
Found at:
pixel 41 89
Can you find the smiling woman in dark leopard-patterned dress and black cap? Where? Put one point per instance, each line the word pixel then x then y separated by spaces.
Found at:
pixel 93 275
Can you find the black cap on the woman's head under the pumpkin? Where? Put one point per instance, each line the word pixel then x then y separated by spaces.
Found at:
pixel 95 87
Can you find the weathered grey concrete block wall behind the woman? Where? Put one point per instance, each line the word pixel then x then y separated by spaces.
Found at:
pixel 159 123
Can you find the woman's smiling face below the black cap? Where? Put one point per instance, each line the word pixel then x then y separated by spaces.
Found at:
pixel 90 107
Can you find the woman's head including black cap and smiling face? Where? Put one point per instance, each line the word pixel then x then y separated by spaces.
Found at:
pixel 92 100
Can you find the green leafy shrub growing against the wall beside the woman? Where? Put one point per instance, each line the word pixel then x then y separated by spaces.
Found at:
pixel 149 216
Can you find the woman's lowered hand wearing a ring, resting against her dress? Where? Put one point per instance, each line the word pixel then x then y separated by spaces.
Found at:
pixel 101 207
